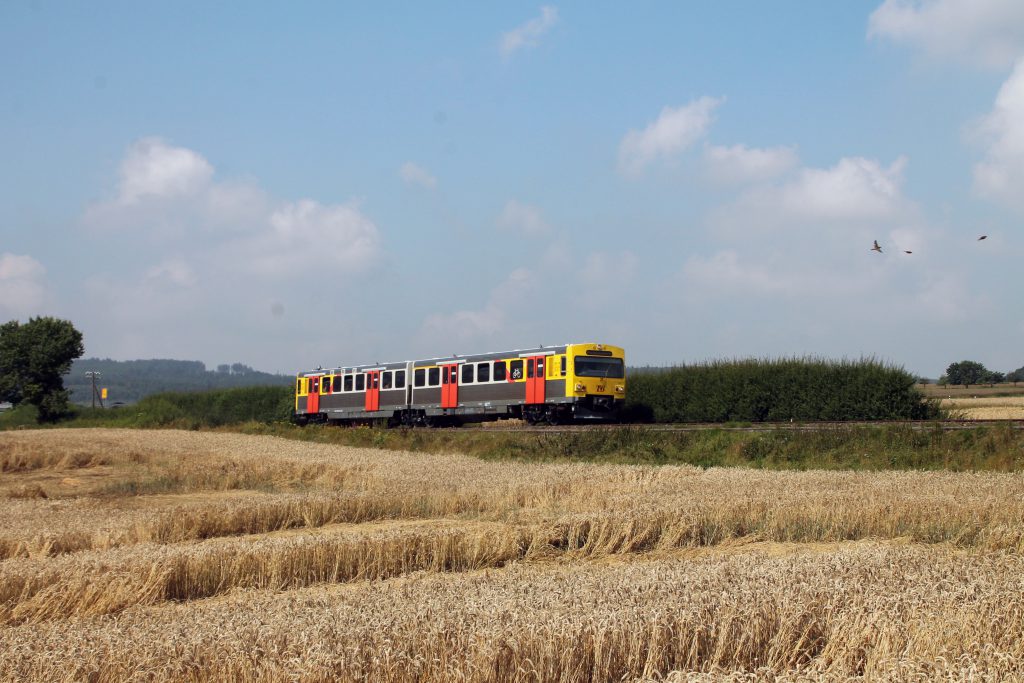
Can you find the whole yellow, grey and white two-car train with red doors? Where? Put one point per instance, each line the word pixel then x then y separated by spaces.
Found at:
pixel 543 386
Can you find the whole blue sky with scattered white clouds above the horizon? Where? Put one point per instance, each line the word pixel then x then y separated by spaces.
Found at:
pixel 321 184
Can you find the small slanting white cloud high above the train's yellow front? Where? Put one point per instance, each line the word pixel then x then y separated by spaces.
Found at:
pixel 673 132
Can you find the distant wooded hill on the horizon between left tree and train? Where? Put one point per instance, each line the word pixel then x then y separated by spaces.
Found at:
pixel 127 381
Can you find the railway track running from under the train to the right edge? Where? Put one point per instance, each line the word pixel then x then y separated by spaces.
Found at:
pixel 920 425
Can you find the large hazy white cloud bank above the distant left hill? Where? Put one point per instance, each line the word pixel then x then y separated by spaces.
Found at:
pixel 201 271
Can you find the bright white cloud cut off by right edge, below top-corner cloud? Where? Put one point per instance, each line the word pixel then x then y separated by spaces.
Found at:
pixel 1001 176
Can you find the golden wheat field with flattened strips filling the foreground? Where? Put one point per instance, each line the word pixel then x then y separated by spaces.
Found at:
pixel 170 556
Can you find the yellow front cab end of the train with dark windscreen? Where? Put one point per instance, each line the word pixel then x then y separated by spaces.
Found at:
pixel 595 380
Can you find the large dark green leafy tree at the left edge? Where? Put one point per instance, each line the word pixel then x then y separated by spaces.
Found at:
pixel 34 358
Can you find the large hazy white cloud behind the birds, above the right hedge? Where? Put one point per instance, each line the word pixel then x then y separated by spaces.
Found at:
pixel 800 249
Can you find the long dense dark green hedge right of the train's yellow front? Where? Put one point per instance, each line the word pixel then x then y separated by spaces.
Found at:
pixel 775 391
